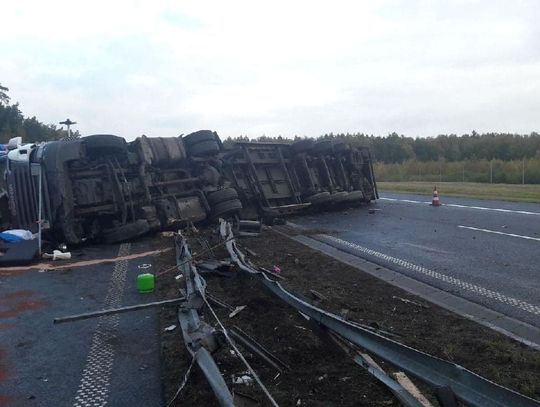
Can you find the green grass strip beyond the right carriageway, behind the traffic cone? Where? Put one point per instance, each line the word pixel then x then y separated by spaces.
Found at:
pixel 504 192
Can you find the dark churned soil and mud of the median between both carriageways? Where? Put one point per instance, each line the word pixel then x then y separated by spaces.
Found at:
pixel 320 373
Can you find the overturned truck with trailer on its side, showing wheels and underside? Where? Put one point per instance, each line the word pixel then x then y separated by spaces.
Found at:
pixel 101 187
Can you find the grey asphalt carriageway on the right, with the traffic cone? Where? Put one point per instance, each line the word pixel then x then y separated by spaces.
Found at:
pixel 485 251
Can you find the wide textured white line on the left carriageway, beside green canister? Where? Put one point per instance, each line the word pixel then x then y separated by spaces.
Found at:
pixel 95 381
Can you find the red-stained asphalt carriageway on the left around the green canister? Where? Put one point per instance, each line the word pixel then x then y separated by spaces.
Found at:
pixel 111 360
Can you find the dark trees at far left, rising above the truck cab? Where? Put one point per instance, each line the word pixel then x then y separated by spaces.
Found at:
pixel 14 124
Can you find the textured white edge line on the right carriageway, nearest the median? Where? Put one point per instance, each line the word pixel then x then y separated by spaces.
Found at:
pixel 514 302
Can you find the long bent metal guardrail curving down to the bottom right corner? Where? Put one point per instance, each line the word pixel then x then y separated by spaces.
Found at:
pixel 468 387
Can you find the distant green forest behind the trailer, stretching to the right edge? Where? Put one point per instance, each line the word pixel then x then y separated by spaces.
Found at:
pixel 396 148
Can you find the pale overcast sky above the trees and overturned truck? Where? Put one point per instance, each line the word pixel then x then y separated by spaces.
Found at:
pixel 163 68
